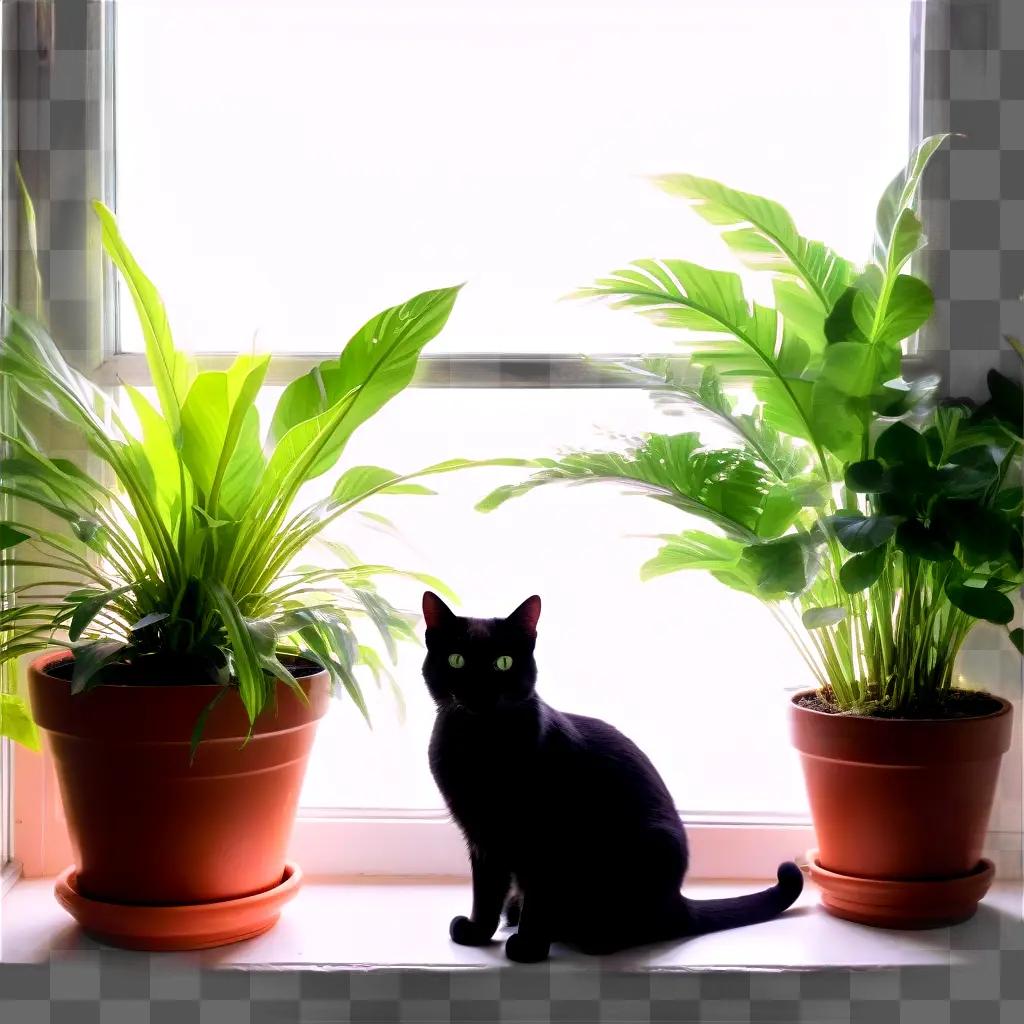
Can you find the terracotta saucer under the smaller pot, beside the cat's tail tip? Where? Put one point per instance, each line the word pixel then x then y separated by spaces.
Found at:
pixel 898 904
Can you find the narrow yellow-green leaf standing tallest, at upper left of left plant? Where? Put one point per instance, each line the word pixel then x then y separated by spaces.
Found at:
pixel 173 371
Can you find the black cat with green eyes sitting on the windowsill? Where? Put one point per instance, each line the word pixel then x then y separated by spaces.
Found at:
pixel 571 830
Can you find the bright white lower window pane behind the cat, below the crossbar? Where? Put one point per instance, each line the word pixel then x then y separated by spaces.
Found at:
pixel 697 674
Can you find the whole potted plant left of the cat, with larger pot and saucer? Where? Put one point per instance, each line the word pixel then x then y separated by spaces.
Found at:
pixel 195 651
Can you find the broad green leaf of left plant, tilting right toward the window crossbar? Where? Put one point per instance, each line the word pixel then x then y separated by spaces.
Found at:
pixel 377 364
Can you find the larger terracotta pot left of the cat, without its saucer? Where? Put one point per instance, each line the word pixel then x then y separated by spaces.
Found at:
pixel 147 827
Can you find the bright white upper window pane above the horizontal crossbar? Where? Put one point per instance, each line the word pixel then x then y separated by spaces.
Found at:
pixel 292 168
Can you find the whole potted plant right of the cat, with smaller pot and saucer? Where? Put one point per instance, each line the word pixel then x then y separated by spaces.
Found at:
pixel 877 525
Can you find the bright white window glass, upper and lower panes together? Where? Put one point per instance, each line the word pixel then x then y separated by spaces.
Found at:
pixel 354 154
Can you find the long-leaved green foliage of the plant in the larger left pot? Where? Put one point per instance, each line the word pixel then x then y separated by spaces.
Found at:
pixel 191 566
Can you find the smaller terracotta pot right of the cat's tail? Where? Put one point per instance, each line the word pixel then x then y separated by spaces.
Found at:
pixel 901 800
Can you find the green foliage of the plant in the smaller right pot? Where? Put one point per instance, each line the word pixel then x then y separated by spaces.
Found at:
pixel 876 527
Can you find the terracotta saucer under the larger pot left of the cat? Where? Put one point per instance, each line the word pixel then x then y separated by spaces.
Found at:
pixel 197 926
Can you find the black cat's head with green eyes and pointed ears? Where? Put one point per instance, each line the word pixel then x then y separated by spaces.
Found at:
pixel 482 665
